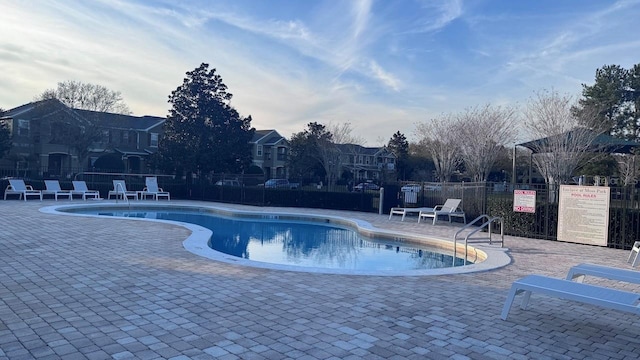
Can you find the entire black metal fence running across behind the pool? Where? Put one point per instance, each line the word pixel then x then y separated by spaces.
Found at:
pixel 493 199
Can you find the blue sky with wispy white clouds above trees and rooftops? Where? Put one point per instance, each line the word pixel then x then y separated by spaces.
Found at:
pixel 383 66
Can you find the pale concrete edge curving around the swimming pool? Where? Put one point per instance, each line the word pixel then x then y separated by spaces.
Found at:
pixel 197 242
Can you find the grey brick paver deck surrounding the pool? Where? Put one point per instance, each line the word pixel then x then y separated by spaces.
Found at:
pixel 76 288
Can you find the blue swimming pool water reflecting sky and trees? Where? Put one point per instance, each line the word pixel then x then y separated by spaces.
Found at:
pixel 301 243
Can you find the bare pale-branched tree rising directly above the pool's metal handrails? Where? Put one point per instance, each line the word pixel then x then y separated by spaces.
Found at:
pixel 483 134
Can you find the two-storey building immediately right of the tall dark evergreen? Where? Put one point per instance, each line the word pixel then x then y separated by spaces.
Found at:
pixel 269 152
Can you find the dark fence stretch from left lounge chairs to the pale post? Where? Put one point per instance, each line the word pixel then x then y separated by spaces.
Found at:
pixel 228 188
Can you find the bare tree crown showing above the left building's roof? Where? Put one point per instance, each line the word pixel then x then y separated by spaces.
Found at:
pixel 79 95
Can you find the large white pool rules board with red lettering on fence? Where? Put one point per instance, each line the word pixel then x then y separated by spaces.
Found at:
pixel 583 214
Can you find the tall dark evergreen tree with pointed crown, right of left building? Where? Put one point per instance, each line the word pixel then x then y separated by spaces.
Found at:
pixel 203 133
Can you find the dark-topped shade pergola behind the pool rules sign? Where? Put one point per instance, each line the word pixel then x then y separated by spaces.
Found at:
pixel 602 143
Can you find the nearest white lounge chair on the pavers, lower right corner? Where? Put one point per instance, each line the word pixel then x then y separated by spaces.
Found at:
pixel 569 290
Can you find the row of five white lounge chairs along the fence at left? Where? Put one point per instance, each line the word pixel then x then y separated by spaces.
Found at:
pixel 80 189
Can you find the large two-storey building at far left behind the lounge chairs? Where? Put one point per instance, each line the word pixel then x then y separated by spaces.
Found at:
pixel 51 139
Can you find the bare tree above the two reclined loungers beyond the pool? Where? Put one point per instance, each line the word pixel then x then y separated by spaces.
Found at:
pixel 440 138
